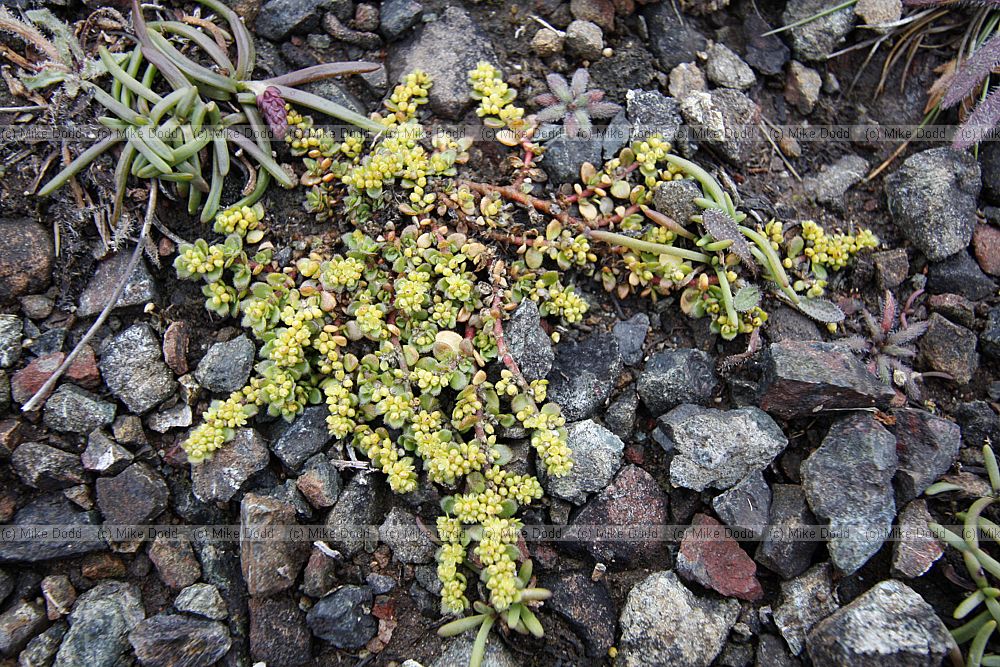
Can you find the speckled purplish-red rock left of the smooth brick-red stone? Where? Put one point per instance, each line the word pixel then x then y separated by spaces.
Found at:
pixel 632 499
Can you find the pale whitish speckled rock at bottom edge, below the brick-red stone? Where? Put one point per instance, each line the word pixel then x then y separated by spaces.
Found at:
pixel 664 623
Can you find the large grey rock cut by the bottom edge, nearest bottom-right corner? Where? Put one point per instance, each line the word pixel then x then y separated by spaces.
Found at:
pixel 889 625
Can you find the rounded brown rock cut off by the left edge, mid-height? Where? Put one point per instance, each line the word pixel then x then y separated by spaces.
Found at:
pixel 26 262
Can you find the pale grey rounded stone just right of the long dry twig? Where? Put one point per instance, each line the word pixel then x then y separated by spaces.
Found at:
pixel 133 369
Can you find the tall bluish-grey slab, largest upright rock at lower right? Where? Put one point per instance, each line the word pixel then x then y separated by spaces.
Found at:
pixel 848 481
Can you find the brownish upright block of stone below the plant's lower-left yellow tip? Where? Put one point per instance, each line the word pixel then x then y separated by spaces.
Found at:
pixel 269 566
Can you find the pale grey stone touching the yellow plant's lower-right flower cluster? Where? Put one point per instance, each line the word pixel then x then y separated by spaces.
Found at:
pixel 597 456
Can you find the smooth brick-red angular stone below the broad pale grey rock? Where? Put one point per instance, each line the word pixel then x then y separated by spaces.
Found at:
pixel 713 559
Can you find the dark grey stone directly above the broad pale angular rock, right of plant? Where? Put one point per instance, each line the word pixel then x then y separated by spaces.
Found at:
pixel 673 377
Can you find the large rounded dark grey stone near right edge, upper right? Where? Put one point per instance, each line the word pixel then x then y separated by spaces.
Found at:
pixel 932 197
